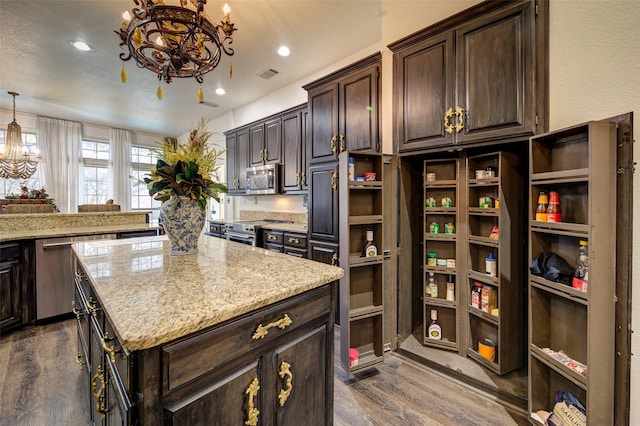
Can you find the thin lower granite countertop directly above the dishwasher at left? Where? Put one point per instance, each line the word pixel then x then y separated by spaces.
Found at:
pixel 73 231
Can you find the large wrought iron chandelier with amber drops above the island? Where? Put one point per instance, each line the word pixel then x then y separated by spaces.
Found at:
pixel 174 41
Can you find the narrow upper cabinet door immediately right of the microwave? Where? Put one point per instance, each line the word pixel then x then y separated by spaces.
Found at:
pixel 291 152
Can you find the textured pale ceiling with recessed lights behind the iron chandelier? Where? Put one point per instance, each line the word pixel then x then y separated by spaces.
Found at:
pixel 56 80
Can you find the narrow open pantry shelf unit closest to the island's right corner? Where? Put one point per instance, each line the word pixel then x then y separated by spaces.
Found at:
pixel 362 292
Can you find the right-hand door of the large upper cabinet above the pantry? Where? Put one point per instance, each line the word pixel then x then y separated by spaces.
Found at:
pixel 495 65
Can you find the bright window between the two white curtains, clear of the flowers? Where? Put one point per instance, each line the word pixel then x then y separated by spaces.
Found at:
pixel 95 172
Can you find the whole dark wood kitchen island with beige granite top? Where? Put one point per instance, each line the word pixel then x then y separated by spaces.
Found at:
pixel 231 335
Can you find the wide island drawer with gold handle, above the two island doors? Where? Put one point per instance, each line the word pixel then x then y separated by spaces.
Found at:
pixel 196 357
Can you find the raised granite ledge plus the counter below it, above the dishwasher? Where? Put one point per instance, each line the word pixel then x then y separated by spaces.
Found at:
pixel 33 226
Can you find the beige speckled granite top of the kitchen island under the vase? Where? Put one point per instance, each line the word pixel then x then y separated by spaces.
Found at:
pixel 153 298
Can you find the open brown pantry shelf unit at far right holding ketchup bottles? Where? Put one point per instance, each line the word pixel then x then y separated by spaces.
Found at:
pixel 580 164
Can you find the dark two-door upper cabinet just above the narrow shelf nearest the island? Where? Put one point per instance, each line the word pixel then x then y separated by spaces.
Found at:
pixel 344 111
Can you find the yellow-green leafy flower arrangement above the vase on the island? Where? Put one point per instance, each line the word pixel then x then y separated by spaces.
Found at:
pixel 188 170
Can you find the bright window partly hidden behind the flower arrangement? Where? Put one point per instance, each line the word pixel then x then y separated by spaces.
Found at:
pixel 142 159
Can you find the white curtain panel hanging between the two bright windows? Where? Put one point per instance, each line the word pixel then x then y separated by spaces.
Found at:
pixel 121 167
